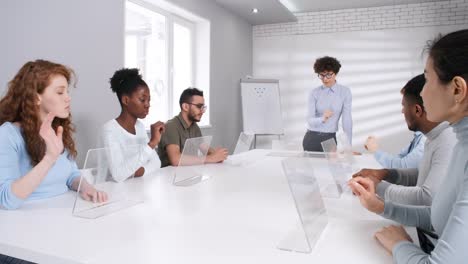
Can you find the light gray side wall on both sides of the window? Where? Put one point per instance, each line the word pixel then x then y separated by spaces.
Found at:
pixel 88 36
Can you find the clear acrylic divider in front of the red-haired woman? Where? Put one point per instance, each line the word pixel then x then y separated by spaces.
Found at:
pixel 97 172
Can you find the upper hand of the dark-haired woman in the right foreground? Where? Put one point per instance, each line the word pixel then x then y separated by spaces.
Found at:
pixel 365 190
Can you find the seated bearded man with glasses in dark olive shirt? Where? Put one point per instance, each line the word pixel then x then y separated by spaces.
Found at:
pixel 184 126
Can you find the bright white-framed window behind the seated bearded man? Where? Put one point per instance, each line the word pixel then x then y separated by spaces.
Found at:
pixel 162 46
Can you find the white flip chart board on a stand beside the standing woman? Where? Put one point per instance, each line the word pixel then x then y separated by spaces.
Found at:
pixel 261 106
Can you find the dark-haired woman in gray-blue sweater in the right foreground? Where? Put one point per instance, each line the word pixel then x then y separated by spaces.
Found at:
pixel 445 97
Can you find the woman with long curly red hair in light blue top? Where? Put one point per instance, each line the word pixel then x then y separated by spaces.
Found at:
pixel 37 151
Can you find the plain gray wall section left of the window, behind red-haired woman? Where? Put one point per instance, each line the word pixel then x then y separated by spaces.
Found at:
pixel 80 34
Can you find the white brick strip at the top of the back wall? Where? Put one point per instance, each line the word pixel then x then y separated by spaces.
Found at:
pixel 443 13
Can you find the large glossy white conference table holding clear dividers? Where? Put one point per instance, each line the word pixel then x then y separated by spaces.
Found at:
pixel 239 215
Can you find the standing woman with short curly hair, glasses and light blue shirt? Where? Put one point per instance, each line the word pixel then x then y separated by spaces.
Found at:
pixel 326 104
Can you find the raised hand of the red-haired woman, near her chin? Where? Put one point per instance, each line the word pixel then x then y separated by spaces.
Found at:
pixel 53 140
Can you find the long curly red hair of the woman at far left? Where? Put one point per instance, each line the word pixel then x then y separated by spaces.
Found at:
pixel 20 105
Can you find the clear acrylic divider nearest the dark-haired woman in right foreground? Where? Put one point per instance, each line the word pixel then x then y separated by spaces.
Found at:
pixel 309 205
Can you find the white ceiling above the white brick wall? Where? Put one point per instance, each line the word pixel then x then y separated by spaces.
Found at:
pixel 279 11
